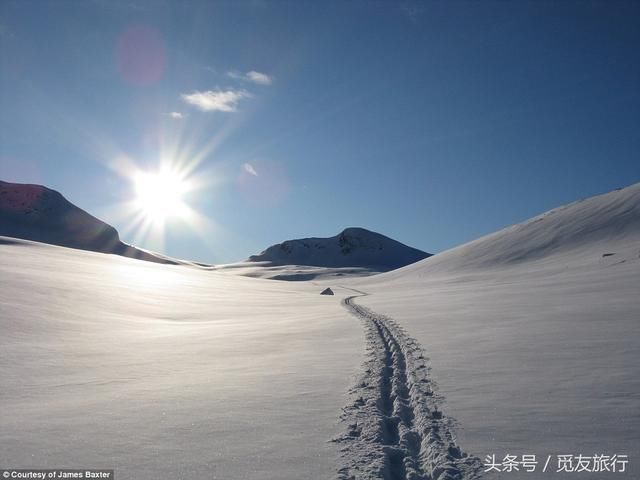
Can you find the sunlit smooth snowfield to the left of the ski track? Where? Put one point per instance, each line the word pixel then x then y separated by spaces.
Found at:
pixel 168 373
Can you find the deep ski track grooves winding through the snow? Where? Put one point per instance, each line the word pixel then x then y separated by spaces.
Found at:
pixel 395 430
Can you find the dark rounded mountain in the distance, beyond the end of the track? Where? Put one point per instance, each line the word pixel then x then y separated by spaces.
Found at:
pixel 353 247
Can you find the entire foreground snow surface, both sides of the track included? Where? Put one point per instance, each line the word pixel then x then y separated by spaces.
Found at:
pixel 523 342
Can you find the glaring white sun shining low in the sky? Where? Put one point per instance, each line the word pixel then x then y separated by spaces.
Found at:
pixel 160 195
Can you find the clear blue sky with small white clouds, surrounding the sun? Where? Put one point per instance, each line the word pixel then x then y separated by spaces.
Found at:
pixel 431 122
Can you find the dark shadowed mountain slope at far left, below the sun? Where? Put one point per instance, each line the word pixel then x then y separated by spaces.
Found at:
pixel 34 212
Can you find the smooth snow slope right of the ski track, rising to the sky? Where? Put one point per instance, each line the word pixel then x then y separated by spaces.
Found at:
pixel 533 332
